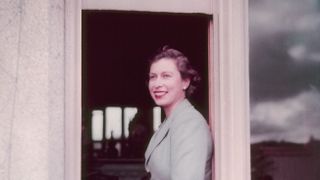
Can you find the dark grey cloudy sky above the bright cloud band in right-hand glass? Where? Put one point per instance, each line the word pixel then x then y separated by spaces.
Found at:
pixel 284 48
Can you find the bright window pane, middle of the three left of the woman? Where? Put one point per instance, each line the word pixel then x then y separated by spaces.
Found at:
pixel 113 122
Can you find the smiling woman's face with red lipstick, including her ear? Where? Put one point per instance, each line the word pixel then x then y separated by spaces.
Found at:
pixel 166 86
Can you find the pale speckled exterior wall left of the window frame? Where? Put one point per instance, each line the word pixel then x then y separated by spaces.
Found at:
pixel 31 90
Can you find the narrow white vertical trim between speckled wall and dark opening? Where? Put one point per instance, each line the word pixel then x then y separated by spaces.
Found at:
pixel 72 90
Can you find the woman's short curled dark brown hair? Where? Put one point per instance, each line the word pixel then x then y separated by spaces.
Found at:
pixel 183 65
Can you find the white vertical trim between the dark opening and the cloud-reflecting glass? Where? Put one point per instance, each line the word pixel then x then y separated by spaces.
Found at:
pixel 231 80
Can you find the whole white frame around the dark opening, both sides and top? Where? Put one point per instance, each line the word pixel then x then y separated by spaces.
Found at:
pixel 228 78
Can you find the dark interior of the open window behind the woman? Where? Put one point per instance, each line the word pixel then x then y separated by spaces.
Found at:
pixel 116 47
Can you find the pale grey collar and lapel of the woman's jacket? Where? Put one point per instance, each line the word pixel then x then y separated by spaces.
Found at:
pixel 163 131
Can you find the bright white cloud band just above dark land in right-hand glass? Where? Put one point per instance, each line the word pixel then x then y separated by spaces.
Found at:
pixel 294 119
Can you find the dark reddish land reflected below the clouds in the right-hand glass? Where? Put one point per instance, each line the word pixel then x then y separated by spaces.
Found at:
pixel 271 158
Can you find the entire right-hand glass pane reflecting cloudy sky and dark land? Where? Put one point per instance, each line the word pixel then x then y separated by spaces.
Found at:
pixel 285 89
